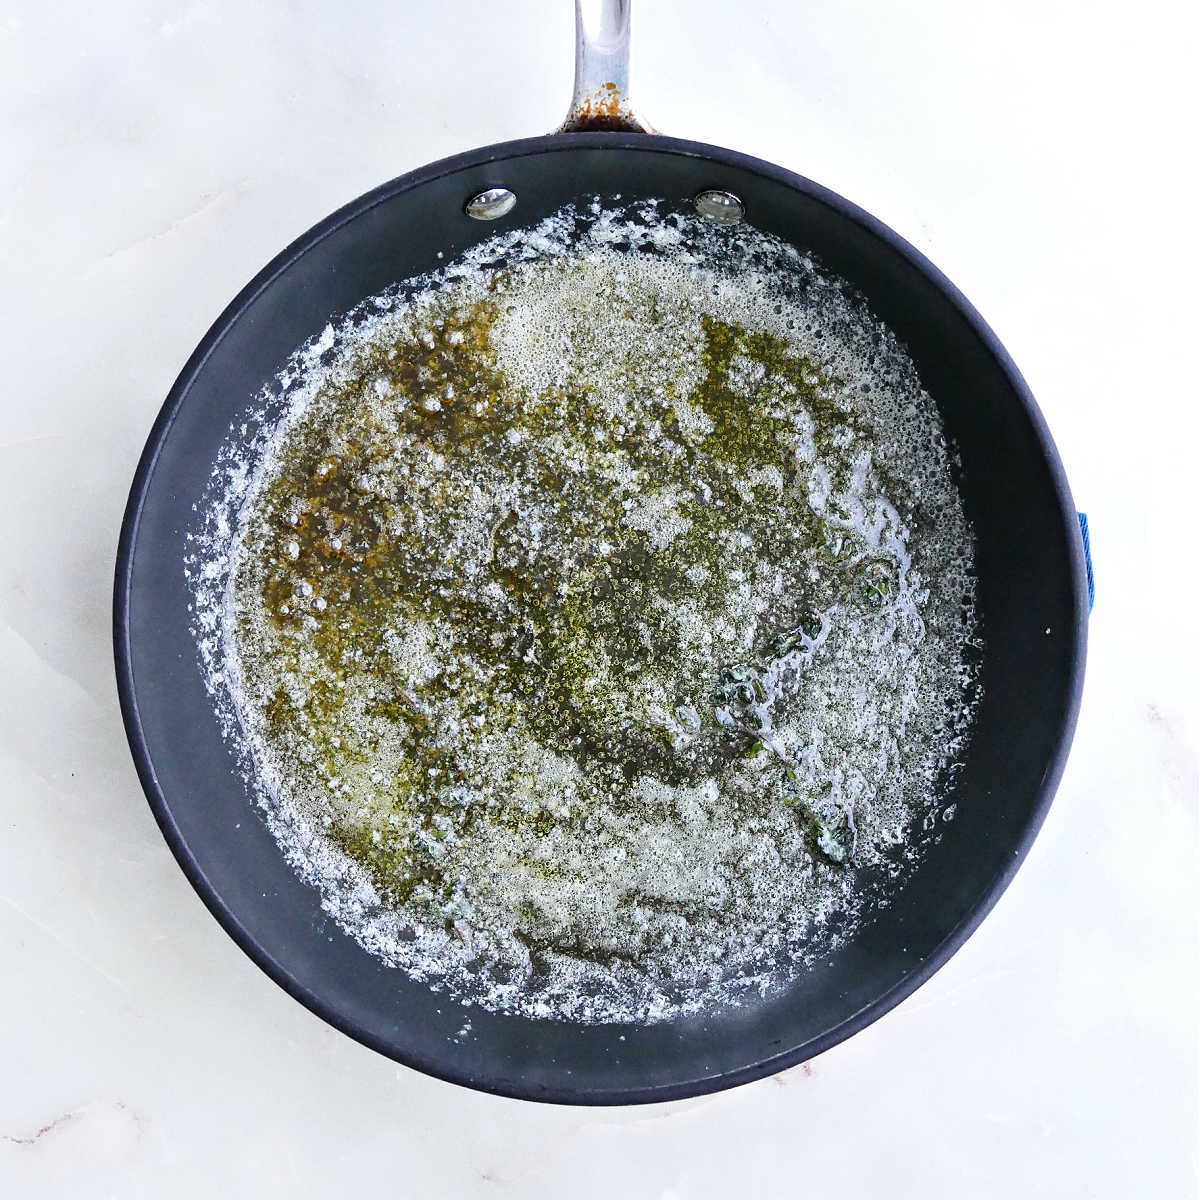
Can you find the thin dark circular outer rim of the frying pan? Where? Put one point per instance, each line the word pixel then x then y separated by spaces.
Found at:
pixel 128 691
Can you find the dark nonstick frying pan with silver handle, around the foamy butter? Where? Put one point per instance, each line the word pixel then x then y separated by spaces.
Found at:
pixel 1033 604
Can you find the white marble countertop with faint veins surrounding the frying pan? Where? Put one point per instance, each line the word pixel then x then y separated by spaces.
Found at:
pixel 157 154
